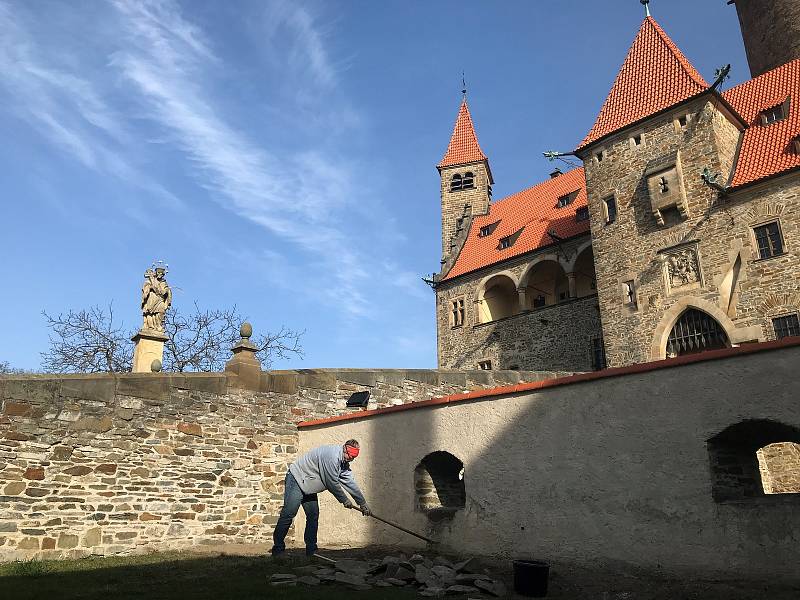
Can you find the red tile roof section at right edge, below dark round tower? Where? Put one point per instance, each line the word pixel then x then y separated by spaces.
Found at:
pixel 767 150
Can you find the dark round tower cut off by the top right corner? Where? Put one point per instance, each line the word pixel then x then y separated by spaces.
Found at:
pixel 771 31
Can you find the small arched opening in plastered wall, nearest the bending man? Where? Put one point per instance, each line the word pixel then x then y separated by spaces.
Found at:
pixel 439 485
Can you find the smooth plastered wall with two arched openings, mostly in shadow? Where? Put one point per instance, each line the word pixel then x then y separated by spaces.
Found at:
pixel 616 471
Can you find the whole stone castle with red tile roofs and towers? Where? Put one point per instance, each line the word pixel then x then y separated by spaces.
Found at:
pixel 680 233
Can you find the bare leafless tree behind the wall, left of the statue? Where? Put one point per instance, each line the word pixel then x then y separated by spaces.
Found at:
pixel 87 341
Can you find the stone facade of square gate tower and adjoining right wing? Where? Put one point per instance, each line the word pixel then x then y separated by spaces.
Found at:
pixel 742 292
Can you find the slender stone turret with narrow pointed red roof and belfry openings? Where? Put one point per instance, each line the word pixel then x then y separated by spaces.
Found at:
pixel 466 180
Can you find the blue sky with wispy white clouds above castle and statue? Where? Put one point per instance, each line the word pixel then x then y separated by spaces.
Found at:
pixel 281 156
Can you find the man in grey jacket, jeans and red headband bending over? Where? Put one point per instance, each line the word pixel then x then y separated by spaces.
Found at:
pixel 320 469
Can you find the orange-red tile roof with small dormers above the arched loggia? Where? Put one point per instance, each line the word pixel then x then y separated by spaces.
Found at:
pixel 535 212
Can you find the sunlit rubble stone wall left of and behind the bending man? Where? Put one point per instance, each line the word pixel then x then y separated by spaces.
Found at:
pixel 104 464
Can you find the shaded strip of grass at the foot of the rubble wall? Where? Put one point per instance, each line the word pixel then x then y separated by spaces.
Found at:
pixel 169 576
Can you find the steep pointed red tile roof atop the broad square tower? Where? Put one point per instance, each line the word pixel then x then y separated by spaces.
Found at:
pixel 654 76
